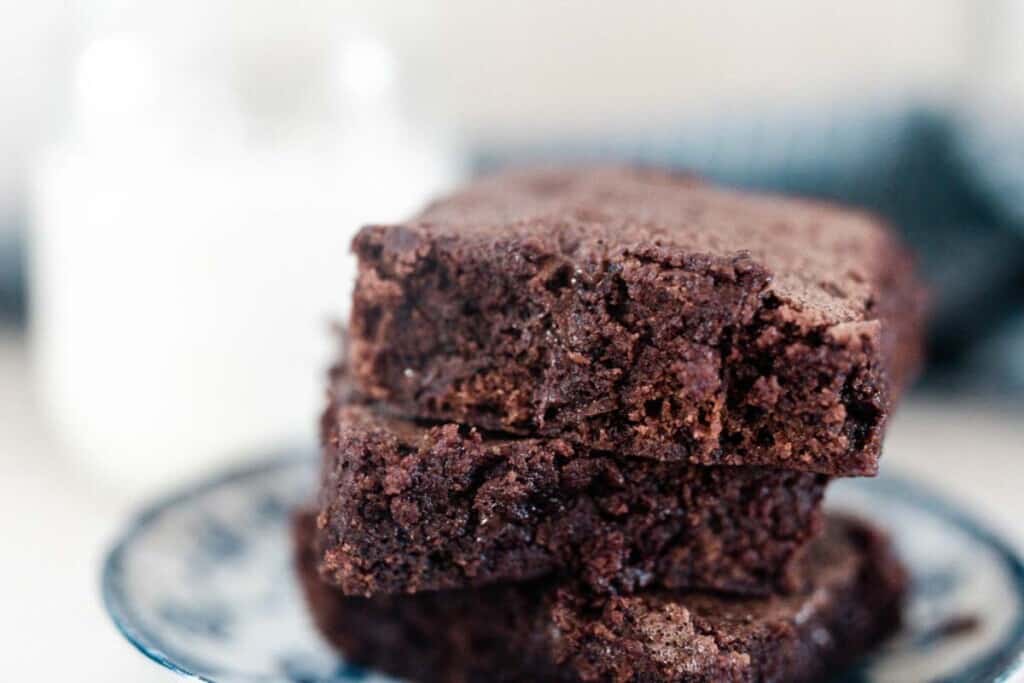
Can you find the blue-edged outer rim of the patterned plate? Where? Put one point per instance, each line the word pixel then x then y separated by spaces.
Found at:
pixel 1006 664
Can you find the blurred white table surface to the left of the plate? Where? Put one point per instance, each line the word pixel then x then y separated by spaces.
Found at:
pixel 57 525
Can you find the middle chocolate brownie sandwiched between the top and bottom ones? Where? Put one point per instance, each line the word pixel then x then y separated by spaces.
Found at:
pixel 406 508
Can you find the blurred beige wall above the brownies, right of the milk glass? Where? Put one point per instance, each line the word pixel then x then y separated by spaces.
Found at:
pixel 573 65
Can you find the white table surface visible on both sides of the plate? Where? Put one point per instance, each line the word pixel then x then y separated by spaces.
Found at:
pixel 58 520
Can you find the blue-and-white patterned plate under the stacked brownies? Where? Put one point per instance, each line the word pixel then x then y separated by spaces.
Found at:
pixel 202 584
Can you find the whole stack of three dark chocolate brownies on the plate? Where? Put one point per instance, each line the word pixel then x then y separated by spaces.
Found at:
pixel 583 426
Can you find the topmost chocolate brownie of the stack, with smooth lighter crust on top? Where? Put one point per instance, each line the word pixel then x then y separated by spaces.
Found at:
pixel 643 313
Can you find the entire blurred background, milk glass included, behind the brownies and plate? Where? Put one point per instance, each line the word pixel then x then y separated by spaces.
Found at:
pixel 180 182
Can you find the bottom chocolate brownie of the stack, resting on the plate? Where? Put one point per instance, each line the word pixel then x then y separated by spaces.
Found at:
pixel 551 631
